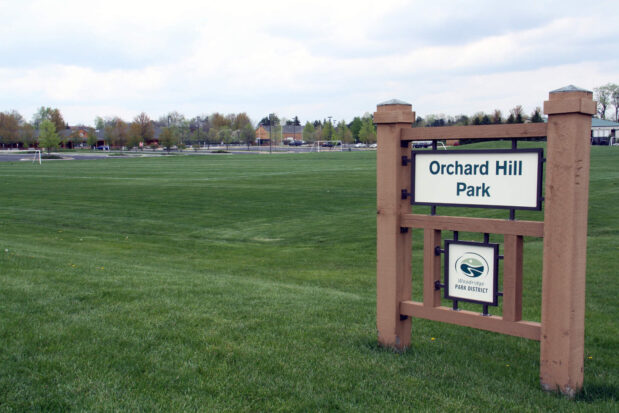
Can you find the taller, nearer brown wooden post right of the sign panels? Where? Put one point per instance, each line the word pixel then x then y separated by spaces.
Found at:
pixel 565 239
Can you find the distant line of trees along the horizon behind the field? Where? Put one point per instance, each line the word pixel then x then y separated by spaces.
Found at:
pixel 49 130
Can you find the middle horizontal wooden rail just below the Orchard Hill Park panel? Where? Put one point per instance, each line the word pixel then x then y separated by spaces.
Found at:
pixel 486 225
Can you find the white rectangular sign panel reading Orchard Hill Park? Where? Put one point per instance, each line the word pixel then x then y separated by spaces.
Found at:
pixel 478 178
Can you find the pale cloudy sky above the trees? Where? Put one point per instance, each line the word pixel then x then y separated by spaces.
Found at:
pixel 312 59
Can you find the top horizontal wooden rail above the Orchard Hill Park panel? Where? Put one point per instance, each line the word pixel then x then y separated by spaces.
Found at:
pixel 518 131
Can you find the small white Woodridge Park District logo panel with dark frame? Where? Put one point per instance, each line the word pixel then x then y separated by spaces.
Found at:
pixel 471 272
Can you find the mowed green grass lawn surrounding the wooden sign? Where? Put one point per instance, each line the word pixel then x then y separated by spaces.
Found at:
pixel 247 283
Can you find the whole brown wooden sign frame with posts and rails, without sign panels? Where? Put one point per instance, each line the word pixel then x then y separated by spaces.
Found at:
pixel 564 231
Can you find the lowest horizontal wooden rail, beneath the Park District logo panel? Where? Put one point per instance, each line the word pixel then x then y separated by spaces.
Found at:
pixel 526 329
